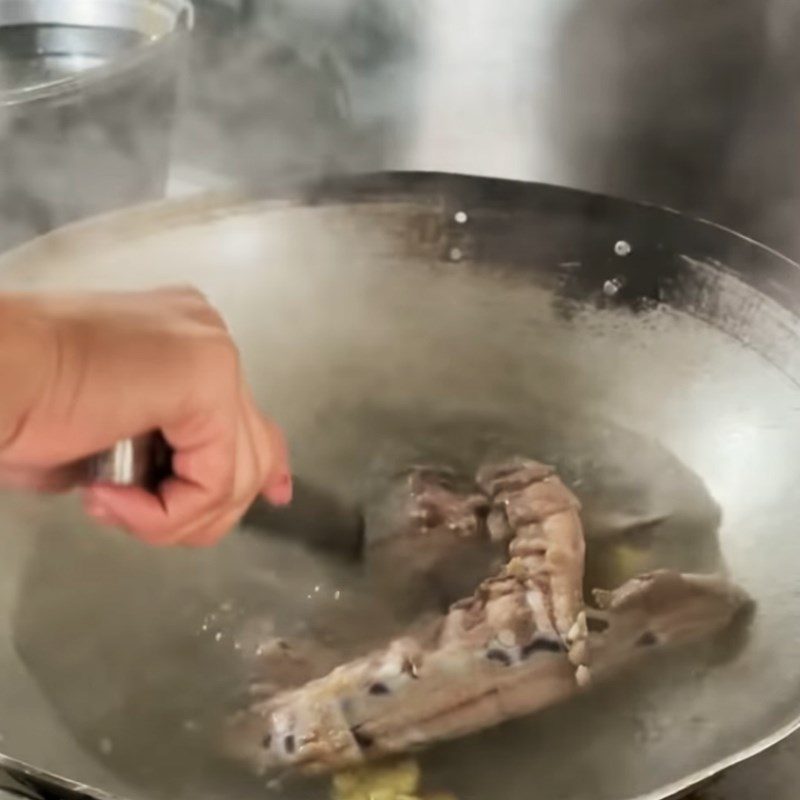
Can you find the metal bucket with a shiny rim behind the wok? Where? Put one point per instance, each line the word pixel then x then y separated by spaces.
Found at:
pixel 87 99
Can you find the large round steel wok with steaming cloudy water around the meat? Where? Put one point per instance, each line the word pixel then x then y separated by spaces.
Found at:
pixel 654 359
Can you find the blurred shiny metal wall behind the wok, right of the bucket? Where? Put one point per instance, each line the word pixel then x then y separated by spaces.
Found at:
pixel 690 105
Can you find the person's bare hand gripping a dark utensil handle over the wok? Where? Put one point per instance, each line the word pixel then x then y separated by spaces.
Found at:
pixel 81 372
